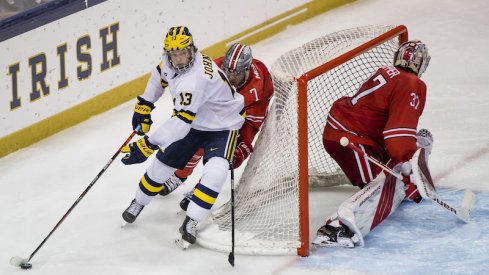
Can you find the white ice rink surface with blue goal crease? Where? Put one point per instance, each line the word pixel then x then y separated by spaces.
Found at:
pixel 41 182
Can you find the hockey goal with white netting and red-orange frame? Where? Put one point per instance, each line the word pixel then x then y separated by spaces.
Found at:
pixel 271 198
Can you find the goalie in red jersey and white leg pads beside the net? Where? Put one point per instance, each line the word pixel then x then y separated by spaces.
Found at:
pixel 381 119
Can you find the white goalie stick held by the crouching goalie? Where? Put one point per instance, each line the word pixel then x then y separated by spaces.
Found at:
pixel 428 189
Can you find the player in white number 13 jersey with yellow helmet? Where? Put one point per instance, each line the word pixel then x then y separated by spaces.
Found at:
pixel 208 113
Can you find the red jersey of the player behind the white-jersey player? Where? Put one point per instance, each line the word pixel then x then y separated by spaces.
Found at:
pixel 257 92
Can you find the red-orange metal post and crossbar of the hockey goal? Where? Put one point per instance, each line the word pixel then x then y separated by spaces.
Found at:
pixel 402 33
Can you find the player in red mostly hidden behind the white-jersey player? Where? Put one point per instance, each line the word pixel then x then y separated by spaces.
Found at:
pixel 251 79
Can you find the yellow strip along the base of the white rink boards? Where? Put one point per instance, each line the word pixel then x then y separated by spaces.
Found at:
pixel 133 88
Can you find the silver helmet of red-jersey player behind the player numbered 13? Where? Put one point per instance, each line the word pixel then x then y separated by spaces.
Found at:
pixel 237 64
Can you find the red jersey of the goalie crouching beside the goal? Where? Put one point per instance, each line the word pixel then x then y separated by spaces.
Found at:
pixel 384 113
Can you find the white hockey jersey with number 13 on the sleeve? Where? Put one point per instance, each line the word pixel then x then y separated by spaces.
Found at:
pixel 203 100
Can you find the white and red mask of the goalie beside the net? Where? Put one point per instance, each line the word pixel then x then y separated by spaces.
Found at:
pixel 412 56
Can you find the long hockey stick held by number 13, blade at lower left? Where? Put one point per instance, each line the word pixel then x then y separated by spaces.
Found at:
pixel 24 263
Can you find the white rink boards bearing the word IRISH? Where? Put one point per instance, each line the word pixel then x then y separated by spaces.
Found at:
pixel 141 28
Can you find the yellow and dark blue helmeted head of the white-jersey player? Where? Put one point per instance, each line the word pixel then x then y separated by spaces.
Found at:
pixel 179 49
